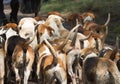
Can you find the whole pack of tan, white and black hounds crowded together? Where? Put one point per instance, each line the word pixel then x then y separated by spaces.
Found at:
pixel 54 49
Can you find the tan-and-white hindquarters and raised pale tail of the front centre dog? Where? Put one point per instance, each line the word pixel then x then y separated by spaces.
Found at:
pixel 50 66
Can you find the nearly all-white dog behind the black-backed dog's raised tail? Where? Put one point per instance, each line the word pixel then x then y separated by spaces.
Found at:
pixel 27 29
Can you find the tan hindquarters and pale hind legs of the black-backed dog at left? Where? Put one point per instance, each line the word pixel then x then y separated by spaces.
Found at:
pixel 22 61
